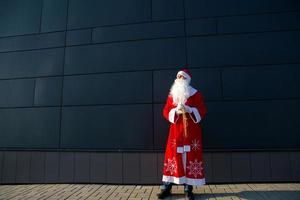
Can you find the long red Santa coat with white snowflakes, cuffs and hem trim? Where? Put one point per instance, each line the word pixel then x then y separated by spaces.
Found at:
pixel 183 161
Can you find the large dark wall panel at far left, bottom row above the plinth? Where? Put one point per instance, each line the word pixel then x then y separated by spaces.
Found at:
pixel 29 127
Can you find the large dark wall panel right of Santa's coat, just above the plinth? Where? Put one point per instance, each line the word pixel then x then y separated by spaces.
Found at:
pixel 254 124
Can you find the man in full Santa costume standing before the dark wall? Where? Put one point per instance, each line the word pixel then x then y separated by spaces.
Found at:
pixel 183 163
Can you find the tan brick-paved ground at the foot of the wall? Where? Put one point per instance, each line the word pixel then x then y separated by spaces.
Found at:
pixel 278 191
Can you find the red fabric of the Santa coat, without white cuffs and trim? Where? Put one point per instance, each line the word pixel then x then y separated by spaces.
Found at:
pixel 176 139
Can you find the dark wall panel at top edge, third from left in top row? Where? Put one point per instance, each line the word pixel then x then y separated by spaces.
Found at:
pixel 99 13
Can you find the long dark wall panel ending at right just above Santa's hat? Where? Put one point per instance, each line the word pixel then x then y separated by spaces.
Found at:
pixel 137 55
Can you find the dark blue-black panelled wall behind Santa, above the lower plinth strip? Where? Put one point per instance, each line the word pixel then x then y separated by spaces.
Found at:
pixel 95 74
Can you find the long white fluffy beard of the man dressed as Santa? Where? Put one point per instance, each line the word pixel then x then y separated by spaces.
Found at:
pixel 180 91
